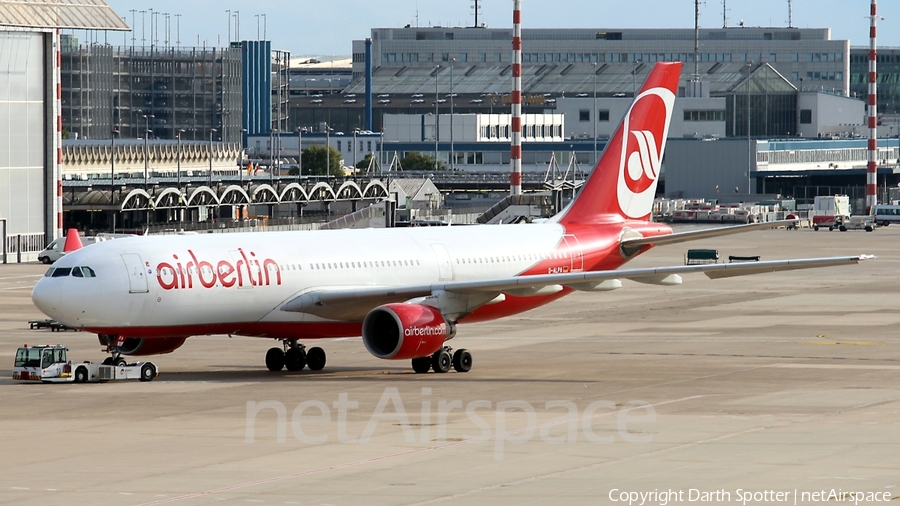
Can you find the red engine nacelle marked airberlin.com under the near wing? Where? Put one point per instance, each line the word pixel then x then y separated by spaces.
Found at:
pixel 404 331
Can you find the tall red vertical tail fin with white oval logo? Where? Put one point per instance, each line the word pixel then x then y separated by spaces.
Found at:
pixel 623 183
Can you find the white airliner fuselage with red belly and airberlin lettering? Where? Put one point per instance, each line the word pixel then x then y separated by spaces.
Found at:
pixel 178 286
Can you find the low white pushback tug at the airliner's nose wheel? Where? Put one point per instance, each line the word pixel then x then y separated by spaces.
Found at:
pixel 49 364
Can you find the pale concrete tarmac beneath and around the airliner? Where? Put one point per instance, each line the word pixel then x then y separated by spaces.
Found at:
pixel 778 383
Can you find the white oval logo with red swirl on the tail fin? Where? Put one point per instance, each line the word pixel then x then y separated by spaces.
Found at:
pixel 642 148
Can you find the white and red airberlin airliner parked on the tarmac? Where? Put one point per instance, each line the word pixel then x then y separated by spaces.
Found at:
pixel 403 290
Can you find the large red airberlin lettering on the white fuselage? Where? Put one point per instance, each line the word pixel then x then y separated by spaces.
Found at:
pixel 246 271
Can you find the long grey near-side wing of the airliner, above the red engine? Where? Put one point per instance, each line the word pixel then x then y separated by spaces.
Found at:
pixel 353 303
